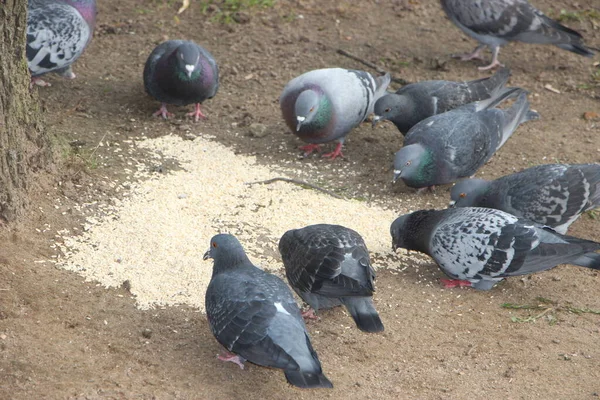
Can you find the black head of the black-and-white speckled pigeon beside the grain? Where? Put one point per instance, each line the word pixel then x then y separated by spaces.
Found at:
pixel 405 231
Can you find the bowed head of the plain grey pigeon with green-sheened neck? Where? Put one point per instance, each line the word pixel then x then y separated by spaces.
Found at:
pixel 413 164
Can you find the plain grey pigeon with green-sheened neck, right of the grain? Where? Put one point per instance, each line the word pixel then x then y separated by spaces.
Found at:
pixel 453 145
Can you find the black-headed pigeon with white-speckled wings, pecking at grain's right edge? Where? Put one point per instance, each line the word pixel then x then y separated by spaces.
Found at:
pixel 479 247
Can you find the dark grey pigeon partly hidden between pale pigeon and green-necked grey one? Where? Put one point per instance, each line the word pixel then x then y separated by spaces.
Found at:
pixel 417 101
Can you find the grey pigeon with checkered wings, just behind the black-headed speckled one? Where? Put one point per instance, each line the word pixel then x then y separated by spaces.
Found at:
pixel 554 195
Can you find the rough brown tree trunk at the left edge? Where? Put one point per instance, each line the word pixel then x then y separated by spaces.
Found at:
pixel 24 146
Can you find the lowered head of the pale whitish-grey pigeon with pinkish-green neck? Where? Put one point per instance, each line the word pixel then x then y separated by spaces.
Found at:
pixel 312 110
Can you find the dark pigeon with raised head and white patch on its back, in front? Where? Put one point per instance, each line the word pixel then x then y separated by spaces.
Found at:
pixel 253 314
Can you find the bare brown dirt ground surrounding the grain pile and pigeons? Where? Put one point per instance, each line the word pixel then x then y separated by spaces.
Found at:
pixel 63 338
